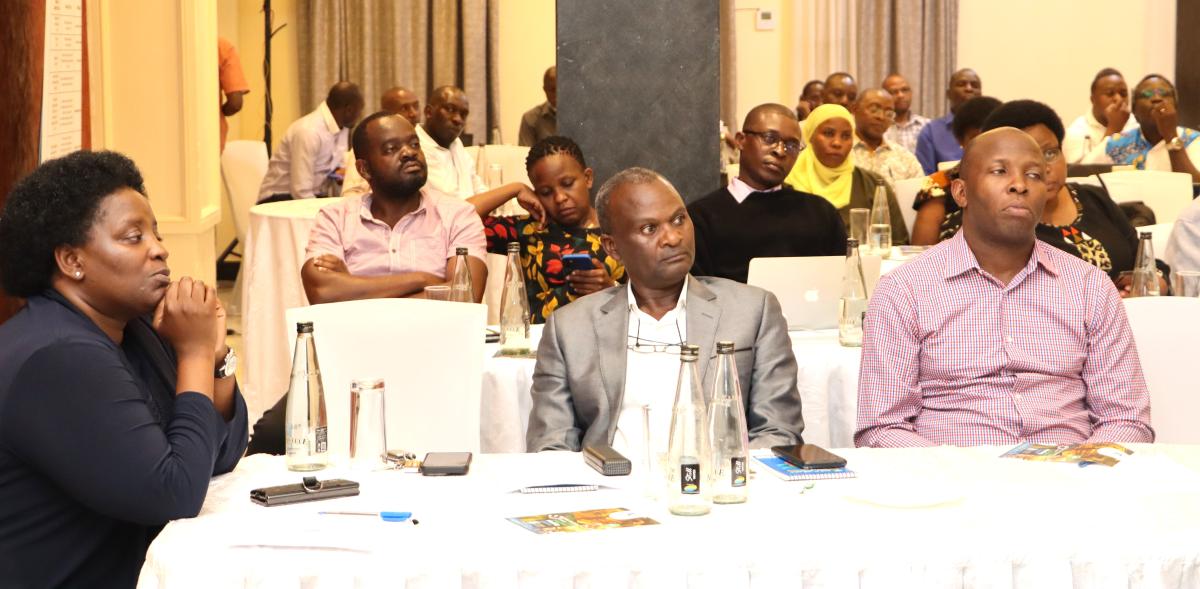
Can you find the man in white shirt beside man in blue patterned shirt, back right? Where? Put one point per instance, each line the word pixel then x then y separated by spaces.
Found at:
pixel 1109 116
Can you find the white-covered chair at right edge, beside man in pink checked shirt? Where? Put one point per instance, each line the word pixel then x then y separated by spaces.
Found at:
pixel 1165 329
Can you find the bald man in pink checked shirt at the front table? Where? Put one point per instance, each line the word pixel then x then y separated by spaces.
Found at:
pixel 994 338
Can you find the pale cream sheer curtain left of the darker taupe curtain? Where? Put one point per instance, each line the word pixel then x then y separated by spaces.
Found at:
pixel 825 37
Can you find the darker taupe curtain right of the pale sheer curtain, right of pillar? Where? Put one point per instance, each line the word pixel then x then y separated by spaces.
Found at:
pixel 916 39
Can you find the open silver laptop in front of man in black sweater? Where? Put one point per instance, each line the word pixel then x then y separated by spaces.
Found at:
pixel 808 289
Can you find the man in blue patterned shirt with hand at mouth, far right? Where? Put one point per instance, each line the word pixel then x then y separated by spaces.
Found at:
pixel 1159 143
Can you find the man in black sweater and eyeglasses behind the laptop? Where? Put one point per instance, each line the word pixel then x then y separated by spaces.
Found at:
pixel 757 215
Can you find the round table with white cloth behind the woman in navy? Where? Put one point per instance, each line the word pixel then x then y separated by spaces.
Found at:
pixel 274 254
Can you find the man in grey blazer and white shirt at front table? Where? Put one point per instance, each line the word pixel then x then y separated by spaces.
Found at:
pixel 607 354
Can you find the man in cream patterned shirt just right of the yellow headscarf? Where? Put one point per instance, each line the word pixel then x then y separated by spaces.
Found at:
pixel 874 113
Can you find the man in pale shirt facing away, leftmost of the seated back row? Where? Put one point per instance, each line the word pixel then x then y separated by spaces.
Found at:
pixel 314 148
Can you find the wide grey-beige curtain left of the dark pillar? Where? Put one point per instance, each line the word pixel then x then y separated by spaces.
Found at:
pixel 419 45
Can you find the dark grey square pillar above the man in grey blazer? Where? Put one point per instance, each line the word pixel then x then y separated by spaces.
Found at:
pixel 639 86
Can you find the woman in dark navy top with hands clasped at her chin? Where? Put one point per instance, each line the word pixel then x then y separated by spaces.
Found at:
pixel 117 399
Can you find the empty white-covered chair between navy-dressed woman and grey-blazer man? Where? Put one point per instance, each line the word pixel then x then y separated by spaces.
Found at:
pixel 429 353
